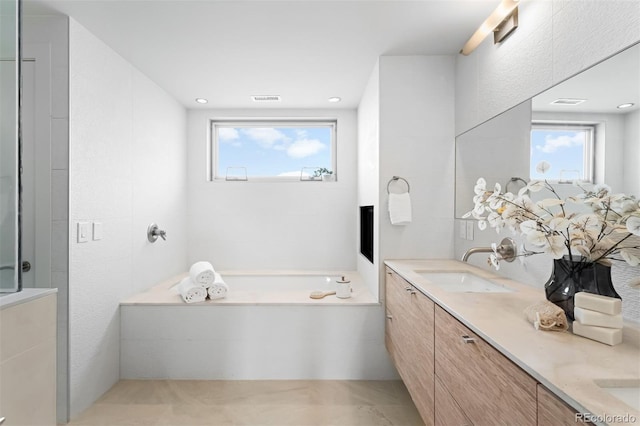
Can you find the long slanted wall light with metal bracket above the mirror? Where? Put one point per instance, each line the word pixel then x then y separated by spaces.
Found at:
pixel 501 22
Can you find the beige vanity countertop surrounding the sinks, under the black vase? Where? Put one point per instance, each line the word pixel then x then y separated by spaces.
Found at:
pixel 568 365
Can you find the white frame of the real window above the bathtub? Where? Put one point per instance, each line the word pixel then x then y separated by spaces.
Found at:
pixel 216 175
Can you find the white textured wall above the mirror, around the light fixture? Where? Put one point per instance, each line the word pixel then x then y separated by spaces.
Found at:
pixel 554 41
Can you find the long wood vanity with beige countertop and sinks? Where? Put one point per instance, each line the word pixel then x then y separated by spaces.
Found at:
pixel 468 355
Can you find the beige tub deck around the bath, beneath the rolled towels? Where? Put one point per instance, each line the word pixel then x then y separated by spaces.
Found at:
pixel 241 293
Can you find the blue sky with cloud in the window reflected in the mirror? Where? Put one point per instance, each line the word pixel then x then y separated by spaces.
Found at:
pixel 563 149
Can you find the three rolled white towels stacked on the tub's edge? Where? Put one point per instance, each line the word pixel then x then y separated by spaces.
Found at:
pixel 202 283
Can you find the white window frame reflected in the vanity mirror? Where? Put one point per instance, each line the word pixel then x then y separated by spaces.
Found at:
pixel 588 157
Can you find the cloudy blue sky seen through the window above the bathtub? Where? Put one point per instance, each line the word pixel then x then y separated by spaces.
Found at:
pixel 273 151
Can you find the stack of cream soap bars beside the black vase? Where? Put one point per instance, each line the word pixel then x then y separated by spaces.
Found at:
pixel 598 318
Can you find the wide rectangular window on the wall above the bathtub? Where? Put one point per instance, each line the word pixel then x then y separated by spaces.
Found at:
pixel 272 149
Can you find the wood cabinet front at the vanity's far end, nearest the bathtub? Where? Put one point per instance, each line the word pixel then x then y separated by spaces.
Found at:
pixel 409 338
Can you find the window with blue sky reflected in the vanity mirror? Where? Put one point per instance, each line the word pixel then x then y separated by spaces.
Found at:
pixel 567 147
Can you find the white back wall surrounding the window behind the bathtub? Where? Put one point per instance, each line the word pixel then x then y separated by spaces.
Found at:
pixel 260 225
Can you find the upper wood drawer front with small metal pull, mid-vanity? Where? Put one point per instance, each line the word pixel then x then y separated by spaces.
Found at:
pixel 489 388
